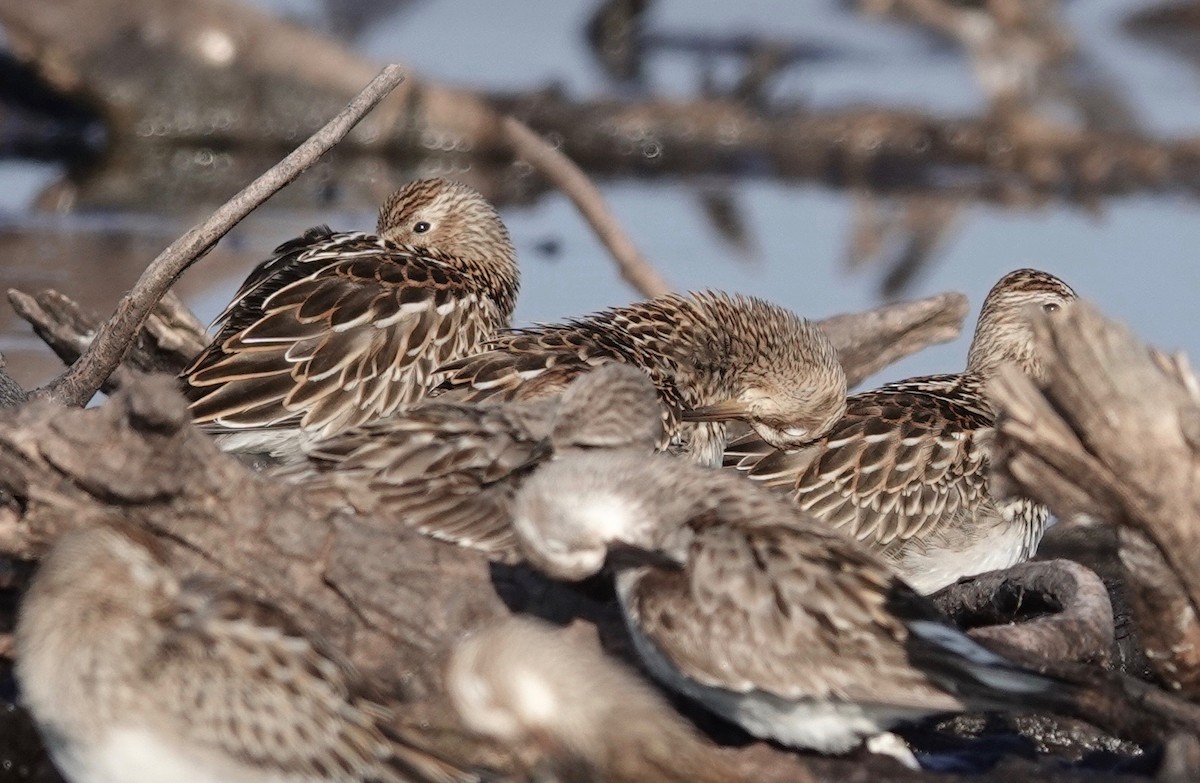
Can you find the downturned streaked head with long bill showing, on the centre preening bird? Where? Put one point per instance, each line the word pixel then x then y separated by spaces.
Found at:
pixel 788 384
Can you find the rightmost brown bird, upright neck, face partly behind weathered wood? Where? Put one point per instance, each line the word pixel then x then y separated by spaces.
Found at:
pixel 905 470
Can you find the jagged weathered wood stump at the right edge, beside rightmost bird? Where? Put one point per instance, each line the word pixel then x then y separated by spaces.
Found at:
pixel 1114 434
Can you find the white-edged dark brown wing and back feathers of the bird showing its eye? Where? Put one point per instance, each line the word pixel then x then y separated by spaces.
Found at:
pixel 350 330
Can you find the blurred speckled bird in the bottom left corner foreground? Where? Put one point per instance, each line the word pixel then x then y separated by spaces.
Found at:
pixel 137 677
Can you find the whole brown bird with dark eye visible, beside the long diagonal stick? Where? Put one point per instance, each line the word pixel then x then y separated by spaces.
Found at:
pixel 338 330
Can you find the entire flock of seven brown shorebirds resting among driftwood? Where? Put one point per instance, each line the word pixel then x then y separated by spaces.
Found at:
pixel 771 539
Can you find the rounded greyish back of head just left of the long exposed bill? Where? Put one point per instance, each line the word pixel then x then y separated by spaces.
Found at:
pixel 614 407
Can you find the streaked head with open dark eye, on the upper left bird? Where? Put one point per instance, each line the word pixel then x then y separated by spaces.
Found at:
pixel 447 217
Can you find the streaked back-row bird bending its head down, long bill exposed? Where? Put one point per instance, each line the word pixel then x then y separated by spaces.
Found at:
pixel 712 357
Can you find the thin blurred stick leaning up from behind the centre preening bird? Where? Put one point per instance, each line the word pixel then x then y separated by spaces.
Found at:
pixel 569 178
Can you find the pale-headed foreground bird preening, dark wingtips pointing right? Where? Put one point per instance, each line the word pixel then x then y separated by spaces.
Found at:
pixel 742 602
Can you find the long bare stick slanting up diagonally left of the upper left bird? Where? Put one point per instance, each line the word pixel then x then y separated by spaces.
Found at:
pixel 115 338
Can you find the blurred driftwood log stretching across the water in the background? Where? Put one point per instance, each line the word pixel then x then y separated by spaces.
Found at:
pixel 184 91
